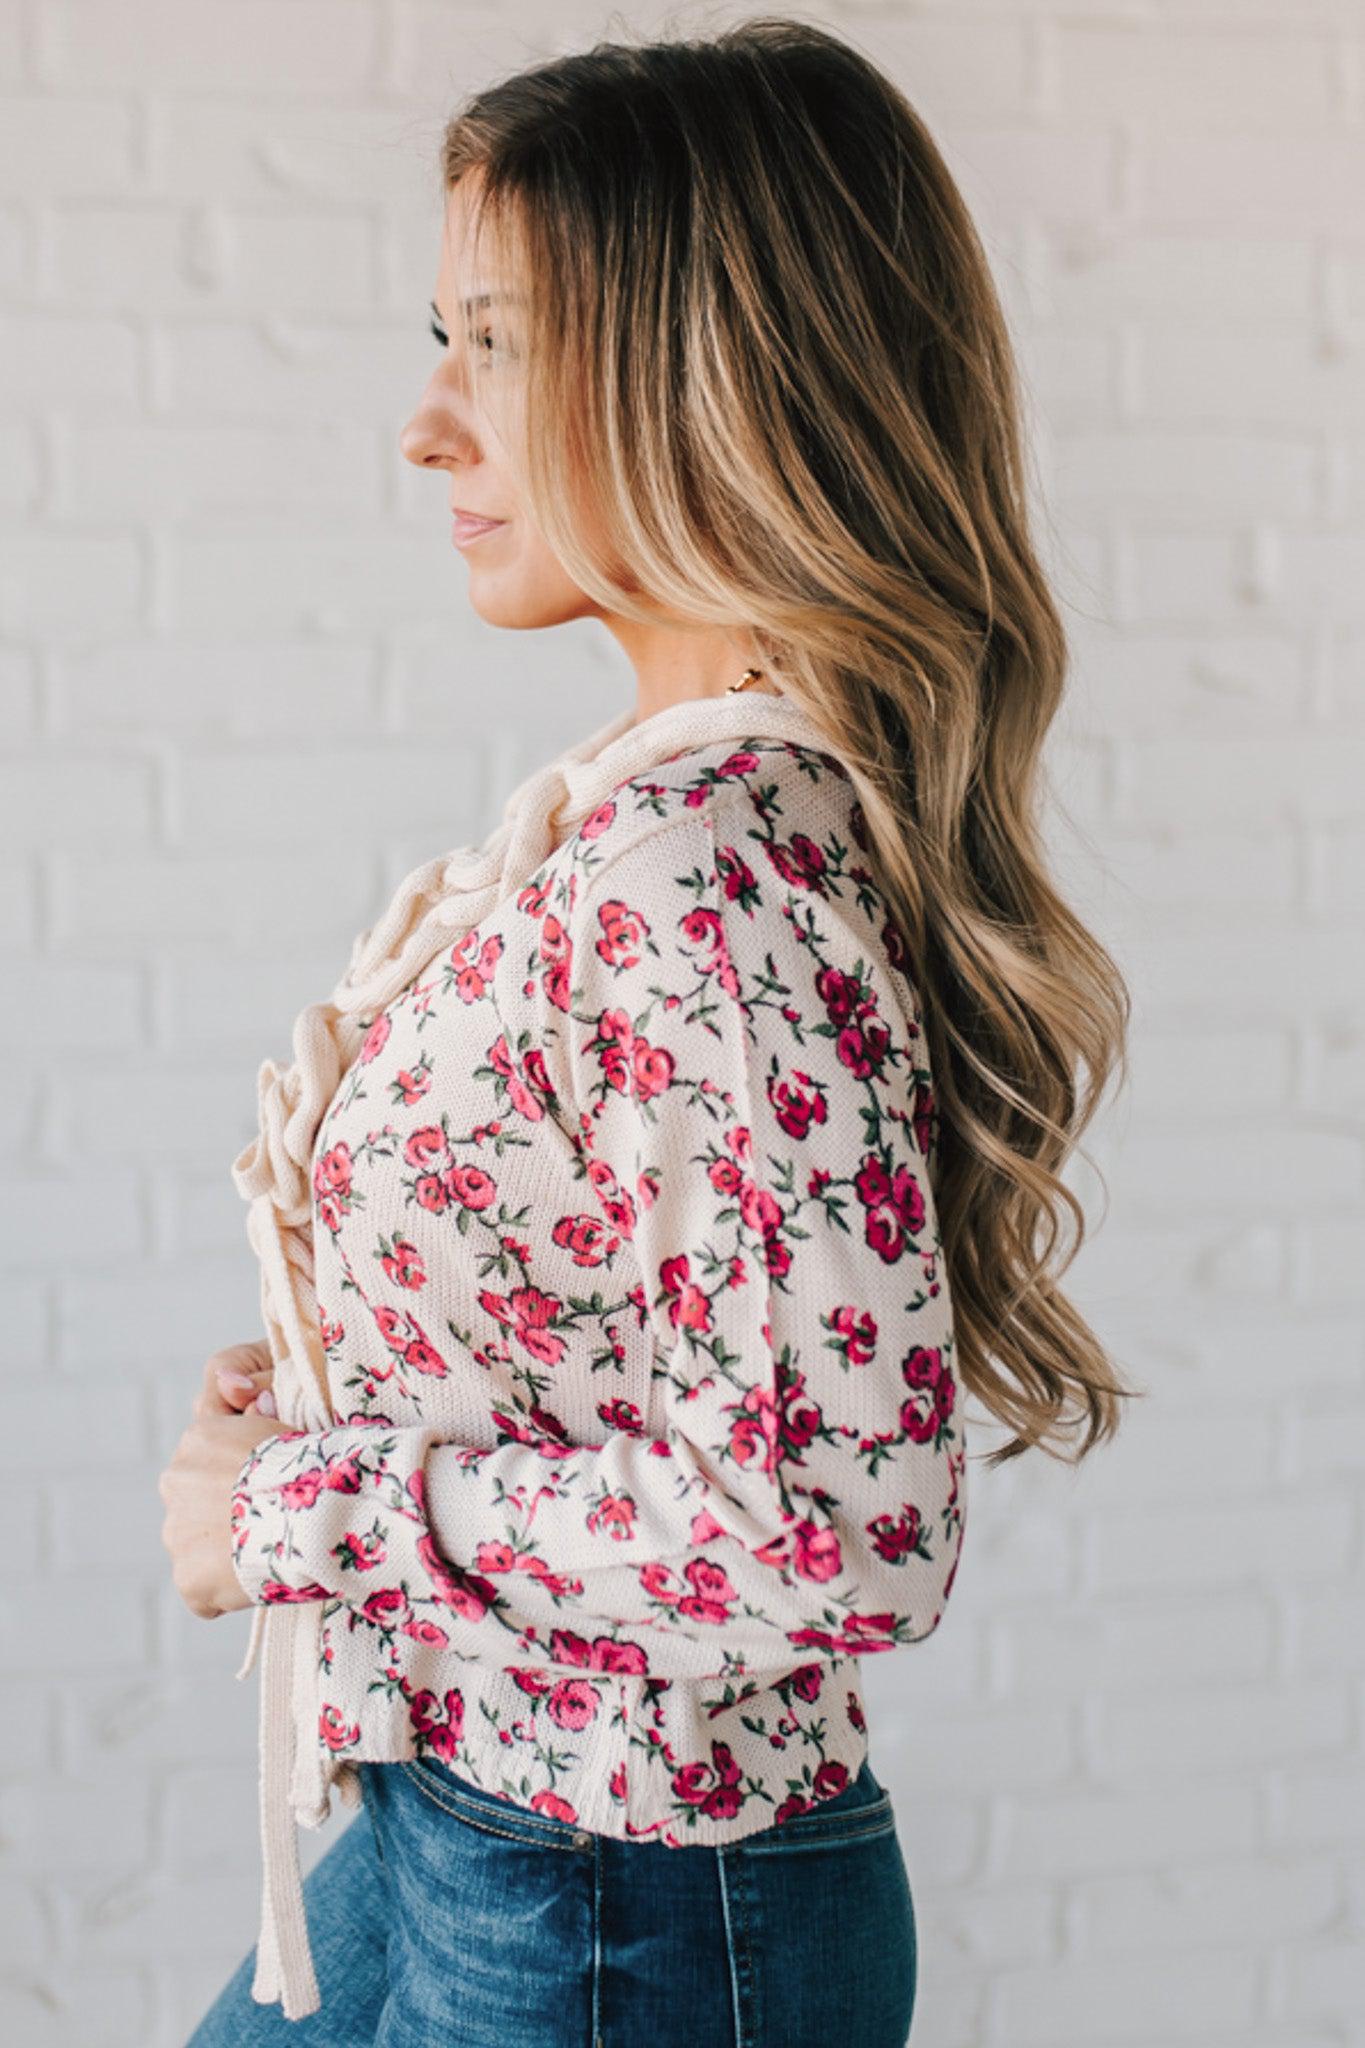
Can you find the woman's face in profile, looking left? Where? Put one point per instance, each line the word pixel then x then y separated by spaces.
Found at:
pixel 466 425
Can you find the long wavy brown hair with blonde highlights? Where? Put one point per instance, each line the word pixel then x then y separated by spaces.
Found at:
pixel 766 351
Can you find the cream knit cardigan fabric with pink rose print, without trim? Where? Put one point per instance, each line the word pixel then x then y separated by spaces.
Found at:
pixel 633 1308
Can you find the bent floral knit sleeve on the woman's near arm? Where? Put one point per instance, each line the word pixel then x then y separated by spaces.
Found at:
pixel 742 1072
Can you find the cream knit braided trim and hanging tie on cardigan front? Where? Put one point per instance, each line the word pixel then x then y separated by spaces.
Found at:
pixel 433 908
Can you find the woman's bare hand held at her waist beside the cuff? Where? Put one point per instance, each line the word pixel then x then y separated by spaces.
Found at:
pixel 200 1480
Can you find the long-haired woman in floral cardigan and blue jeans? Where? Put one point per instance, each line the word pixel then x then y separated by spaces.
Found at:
pixel 664 1172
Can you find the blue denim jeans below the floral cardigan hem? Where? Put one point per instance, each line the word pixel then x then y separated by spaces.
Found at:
pixel 443 1916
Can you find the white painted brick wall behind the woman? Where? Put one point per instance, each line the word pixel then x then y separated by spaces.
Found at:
pixel 1129 1768
